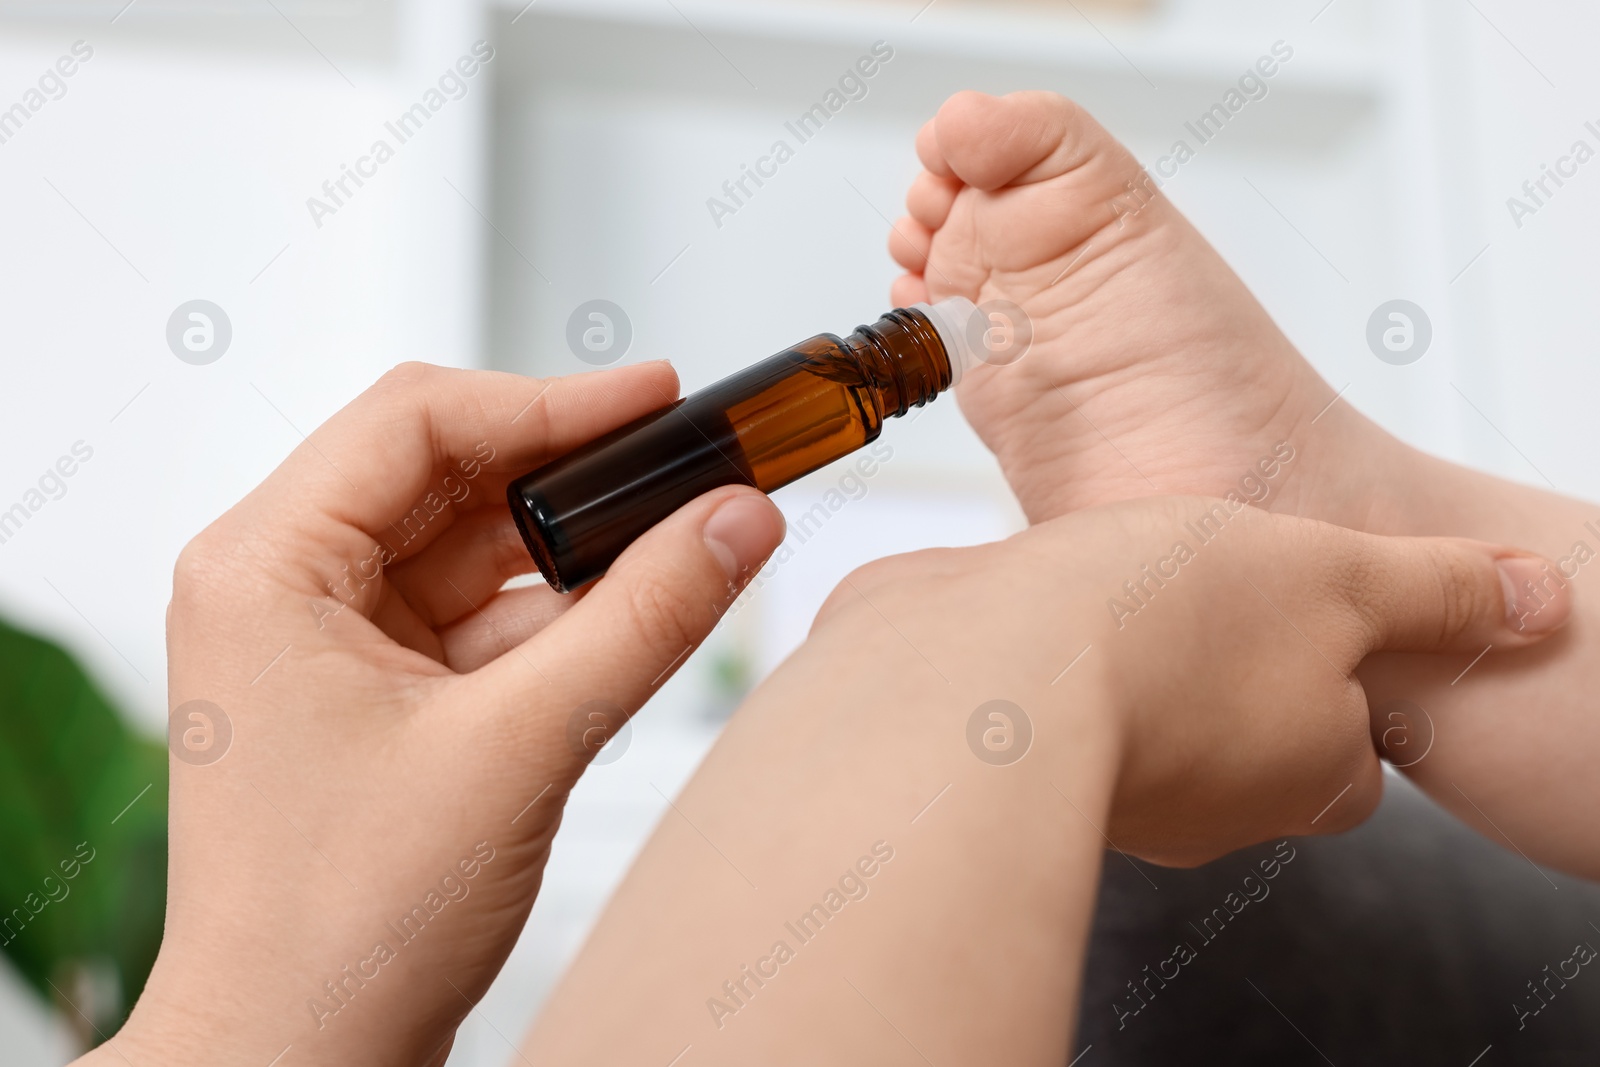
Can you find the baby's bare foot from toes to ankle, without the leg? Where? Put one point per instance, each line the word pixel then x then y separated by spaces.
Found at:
pixel 1153 369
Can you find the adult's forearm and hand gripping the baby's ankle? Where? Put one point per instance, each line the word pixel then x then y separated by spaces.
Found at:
pixel 1206 724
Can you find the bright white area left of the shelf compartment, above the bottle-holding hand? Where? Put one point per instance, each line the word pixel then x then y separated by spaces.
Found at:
pixel 191 164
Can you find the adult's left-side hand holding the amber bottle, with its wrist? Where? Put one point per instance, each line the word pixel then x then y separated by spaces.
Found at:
pixel 402 740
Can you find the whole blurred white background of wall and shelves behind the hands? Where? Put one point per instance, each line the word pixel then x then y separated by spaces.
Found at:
pixel 180 161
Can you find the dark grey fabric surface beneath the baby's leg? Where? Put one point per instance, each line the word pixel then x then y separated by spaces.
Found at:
pixel 1407 941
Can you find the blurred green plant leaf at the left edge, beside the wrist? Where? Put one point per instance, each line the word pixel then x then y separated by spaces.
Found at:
pixel 82 834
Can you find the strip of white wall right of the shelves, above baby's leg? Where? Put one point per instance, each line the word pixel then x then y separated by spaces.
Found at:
pixel 1538 282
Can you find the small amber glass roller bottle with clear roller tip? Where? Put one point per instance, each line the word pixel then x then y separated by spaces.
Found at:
pixel 766 426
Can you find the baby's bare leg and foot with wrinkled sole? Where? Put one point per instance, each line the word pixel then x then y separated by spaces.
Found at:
pixel 1154 370
